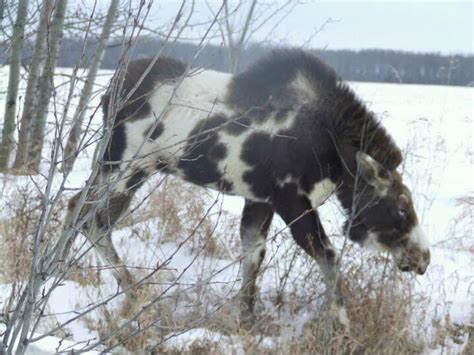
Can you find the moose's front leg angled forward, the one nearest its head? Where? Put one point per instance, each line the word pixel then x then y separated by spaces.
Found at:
pixel 308 232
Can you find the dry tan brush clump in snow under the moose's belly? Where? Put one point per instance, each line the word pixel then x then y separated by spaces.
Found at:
pixel 176 211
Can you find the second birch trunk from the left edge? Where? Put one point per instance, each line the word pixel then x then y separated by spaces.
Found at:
pixel 32 90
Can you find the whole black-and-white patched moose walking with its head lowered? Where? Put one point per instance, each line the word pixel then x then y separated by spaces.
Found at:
pixel 285 135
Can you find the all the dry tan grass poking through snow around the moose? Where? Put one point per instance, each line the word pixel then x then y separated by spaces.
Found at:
pixel 384 311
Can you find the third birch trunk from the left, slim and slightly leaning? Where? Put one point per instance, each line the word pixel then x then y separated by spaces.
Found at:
pixel 45 86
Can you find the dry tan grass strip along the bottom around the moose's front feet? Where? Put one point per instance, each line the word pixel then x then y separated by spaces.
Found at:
pixel 381 311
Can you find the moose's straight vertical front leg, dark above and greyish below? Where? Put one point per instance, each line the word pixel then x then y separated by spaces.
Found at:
pixel 256 220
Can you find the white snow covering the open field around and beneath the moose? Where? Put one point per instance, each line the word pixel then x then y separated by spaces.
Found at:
pixel 434 127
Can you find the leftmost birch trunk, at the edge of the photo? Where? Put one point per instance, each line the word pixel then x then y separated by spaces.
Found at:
pixel 13 81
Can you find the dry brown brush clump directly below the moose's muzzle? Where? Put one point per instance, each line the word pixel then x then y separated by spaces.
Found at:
pixel 382 309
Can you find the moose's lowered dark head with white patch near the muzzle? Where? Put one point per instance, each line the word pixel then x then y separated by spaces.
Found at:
pixel 383 216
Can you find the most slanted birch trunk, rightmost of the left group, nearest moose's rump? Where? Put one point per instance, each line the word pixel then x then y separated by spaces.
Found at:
pixel 71 150
